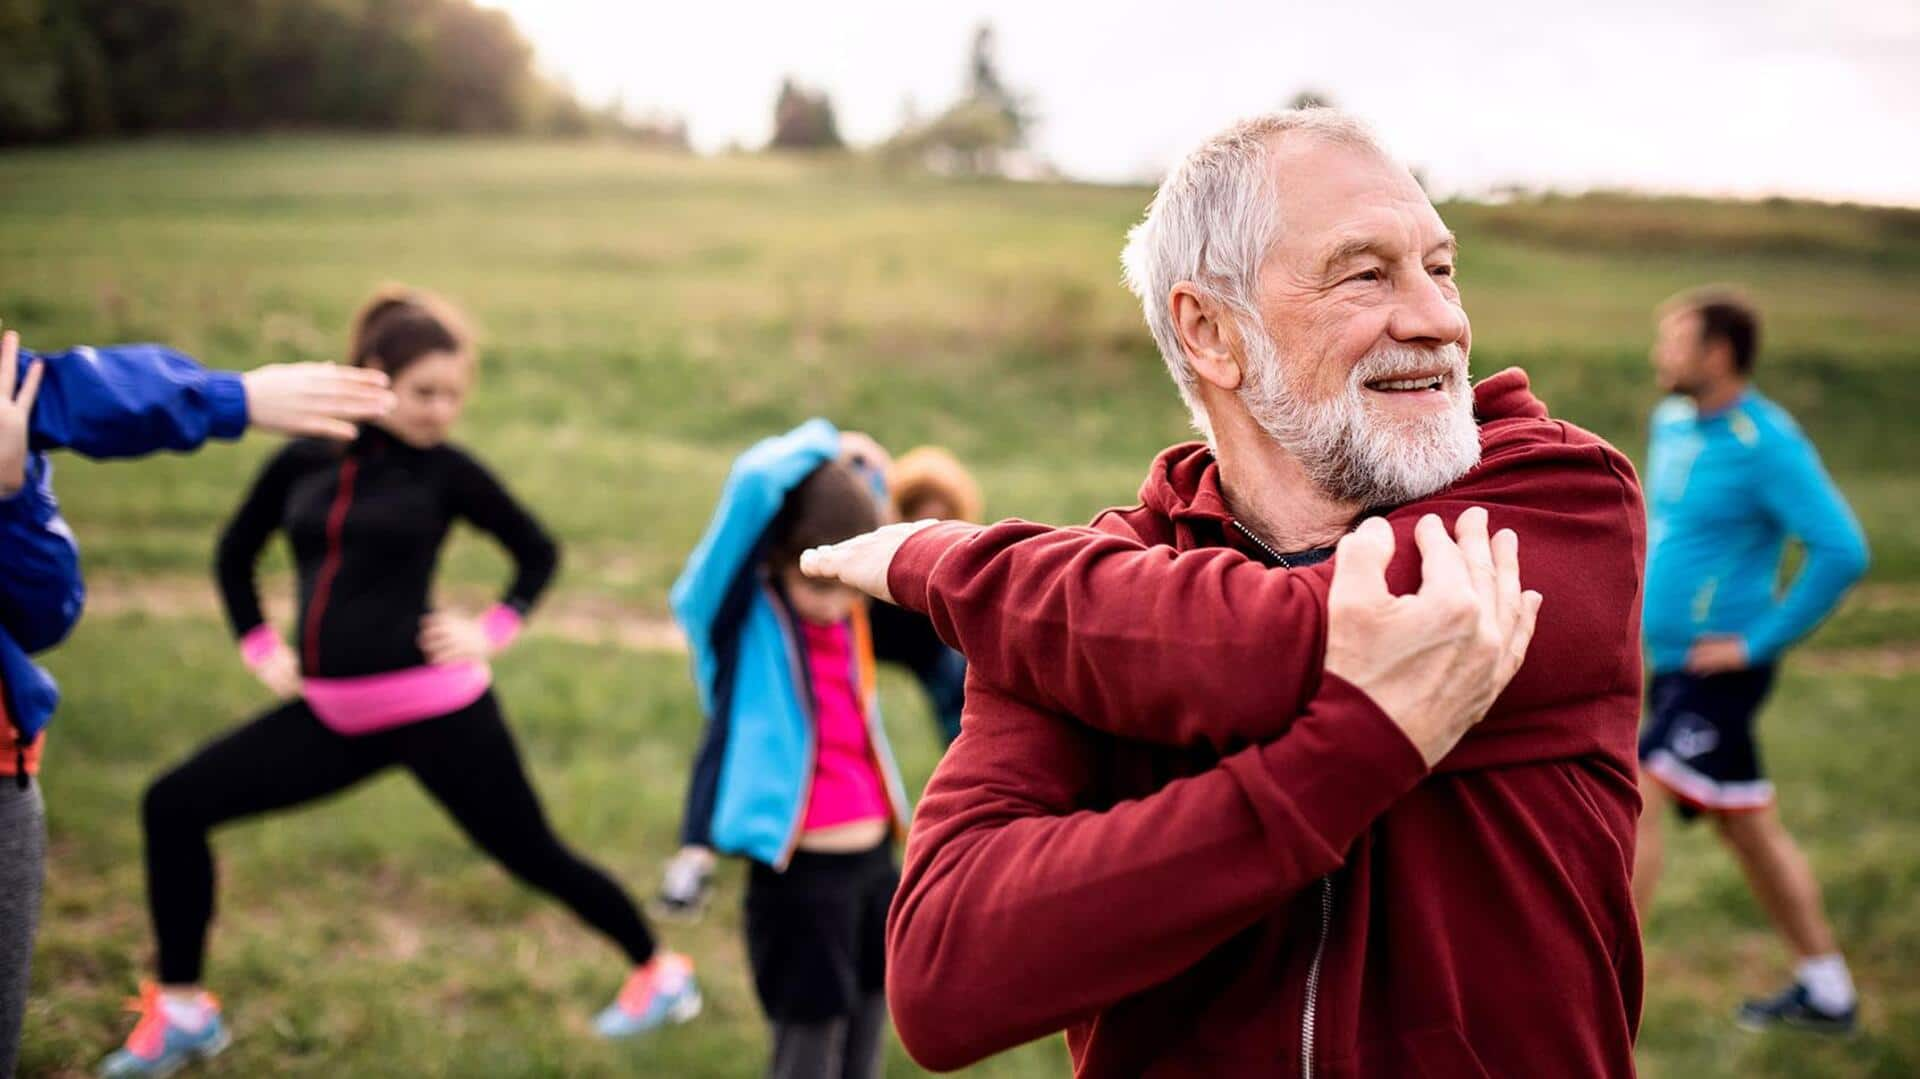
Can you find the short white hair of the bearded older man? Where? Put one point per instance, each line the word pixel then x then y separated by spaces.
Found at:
pixel 1212 224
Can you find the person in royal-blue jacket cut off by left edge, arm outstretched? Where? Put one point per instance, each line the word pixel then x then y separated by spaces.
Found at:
pixel 105 404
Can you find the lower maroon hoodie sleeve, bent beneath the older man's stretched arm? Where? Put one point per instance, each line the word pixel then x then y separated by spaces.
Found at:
pixel 1022 911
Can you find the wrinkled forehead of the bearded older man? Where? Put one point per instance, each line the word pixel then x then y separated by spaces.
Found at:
pixel 1337 199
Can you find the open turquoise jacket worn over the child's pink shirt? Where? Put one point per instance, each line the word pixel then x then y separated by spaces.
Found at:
pixel 754 771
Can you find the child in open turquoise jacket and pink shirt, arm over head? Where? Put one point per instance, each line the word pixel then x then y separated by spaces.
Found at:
pixel 794 771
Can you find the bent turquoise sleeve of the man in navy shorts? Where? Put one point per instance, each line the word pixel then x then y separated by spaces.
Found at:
pixel 1802 500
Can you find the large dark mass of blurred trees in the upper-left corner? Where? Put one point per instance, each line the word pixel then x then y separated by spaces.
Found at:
pixel 103 68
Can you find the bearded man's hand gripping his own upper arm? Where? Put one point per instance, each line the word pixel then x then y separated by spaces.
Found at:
pixel 1437 659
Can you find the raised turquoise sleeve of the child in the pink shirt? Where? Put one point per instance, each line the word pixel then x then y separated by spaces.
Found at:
pixel 752 498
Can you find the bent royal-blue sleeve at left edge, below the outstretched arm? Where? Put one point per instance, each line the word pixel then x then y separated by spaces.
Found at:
pixel 41 590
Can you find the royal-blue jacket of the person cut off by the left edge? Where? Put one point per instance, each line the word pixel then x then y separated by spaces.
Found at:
pixel 101 402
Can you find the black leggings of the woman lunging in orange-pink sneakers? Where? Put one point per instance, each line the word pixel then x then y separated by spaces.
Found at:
pixel 287 757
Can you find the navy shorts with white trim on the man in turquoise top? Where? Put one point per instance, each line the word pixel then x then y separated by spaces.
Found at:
pixel 1698 740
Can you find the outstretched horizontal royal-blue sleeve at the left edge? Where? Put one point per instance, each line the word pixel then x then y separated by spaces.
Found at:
pixel 133 400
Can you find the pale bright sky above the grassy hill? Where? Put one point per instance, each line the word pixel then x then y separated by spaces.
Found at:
pixel 1773 97
